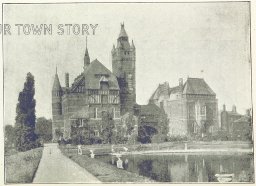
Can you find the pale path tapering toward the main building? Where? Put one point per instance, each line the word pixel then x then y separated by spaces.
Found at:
pixel 54 167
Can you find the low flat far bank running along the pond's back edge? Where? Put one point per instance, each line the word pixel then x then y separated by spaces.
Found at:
pixel 215 147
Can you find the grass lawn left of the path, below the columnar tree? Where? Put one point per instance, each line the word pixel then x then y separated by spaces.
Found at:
pixel 21 167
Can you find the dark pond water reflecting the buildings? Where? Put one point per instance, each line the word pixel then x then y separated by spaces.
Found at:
pixel 188 168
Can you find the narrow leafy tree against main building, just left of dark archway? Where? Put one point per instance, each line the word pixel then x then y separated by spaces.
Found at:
pixel 107 127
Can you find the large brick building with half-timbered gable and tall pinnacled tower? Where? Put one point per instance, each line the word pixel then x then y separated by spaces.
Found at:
pixel 95 91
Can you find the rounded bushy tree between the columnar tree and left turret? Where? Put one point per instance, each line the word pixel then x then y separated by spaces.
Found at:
pixel 44 129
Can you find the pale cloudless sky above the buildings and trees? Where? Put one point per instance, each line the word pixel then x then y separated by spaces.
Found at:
pixel 172 40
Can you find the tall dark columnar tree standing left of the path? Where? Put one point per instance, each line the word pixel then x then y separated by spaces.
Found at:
pixel 25 116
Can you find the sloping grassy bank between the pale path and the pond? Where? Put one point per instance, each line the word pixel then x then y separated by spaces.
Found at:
pixel 103 171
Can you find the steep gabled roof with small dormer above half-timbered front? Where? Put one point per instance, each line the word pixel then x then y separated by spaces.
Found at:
pixel 93 74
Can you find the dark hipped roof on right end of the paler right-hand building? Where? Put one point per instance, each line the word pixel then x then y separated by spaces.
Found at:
pixel 197 86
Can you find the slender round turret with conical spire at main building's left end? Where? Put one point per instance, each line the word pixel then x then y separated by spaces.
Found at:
pixel 57 119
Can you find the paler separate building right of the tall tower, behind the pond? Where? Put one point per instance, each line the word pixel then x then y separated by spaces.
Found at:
pixel 192 107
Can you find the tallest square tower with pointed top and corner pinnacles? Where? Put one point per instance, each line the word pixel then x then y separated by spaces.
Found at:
pixel 123 65
